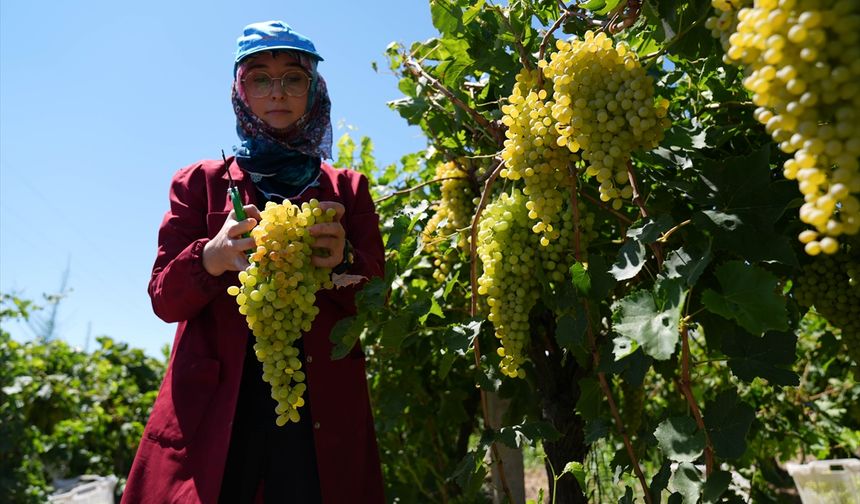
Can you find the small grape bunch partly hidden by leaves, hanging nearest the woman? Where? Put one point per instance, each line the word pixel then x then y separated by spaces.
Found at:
pixel 452 217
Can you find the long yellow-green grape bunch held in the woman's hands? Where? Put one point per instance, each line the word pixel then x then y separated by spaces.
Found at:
pixel 277 297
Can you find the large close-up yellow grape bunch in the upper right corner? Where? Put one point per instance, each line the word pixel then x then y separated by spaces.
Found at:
pixel 802 65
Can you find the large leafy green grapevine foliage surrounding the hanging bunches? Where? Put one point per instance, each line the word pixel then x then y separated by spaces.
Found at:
pixel 689 288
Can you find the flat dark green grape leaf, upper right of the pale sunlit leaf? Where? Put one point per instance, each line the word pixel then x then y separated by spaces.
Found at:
pixel 749 296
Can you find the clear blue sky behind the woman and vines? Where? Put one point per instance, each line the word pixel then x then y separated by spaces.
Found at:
pixel 102 101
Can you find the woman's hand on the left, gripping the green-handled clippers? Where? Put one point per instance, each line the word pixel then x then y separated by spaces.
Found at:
pixel 226 251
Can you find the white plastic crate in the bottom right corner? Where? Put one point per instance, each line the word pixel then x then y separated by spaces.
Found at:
pixel 827 481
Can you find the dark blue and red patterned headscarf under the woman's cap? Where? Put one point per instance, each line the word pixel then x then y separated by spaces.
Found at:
pixel 281 160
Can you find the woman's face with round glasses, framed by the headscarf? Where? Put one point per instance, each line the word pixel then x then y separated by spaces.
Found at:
pixel 277 109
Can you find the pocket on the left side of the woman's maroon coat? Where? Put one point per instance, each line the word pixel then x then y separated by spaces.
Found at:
pixel 184 399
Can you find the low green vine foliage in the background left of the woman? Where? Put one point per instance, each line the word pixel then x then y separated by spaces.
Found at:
pixel 64 412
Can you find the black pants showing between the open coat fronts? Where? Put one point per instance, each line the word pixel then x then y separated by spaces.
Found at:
pixel 282 458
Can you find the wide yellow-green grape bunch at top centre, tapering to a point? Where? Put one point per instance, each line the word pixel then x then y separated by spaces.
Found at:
pixel 604 107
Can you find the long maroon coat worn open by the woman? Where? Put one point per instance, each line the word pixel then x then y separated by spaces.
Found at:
pixel 182 455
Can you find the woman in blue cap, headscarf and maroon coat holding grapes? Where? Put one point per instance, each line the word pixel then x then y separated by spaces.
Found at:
pixel 211 436
